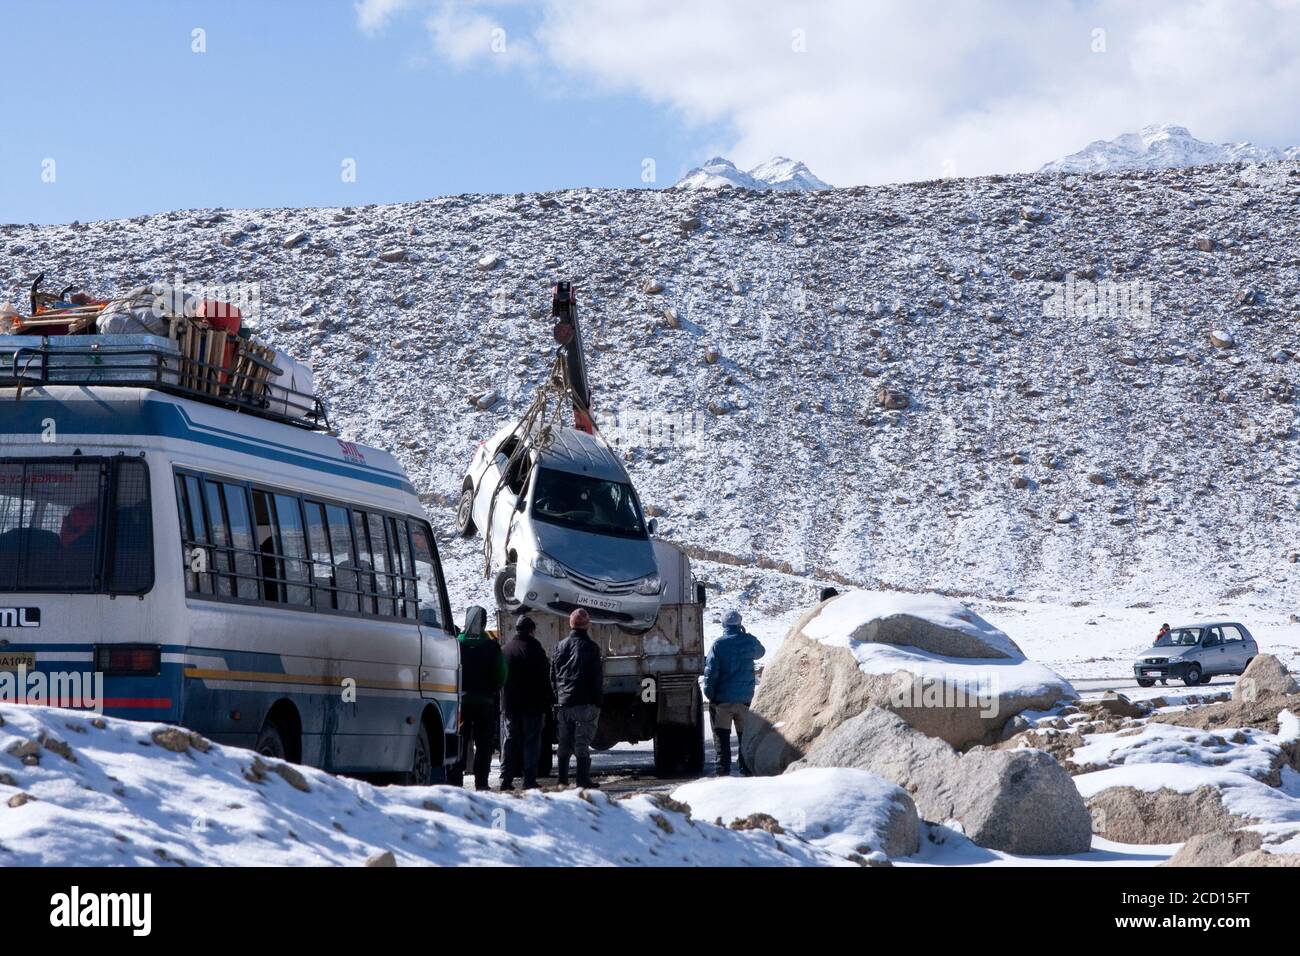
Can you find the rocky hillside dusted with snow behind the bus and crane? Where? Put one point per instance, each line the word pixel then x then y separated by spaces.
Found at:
pixel 890 387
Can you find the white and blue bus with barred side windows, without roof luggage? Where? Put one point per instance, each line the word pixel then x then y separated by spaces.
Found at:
pixel 249 577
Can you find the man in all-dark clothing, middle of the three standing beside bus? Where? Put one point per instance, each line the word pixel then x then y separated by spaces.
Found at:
pixel 526 700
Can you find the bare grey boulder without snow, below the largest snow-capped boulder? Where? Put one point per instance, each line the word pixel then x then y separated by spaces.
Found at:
pixel 1019 802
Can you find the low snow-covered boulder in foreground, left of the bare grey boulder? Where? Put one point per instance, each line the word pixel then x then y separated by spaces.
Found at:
pixel 848 812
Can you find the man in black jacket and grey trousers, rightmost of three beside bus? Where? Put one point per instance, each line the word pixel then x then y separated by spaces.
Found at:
pixel 578 677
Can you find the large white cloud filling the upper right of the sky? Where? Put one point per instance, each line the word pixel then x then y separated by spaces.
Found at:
pixel 908 90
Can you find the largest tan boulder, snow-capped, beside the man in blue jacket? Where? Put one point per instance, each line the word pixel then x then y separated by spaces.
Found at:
pixel 937 664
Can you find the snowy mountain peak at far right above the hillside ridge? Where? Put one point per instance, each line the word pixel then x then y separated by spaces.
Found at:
pixel 1163 148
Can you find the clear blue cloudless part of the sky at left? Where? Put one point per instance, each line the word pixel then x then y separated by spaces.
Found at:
pixel 138 123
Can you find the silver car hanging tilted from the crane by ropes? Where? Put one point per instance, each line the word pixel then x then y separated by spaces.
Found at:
pixel 566 526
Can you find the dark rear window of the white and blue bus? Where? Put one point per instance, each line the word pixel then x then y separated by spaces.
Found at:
pixel 76 526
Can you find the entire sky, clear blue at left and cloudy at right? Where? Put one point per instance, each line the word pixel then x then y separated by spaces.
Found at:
pixel 443 97
